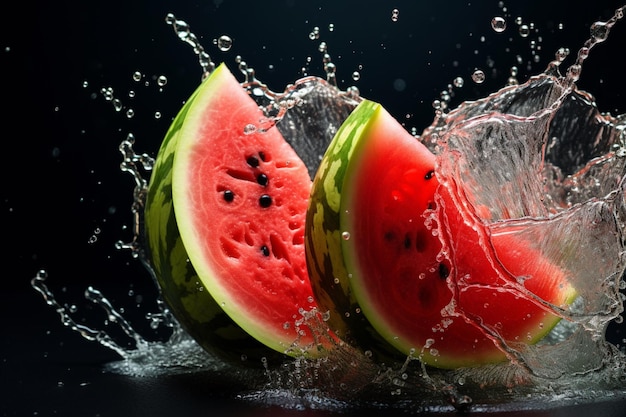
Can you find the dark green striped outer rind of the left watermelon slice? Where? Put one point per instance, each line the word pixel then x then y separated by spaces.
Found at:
pixel 181 288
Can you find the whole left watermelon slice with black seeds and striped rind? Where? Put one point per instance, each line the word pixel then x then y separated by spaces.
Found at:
pixel 225 218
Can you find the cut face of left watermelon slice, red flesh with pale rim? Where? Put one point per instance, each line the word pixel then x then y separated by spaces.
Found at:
pixel 240 196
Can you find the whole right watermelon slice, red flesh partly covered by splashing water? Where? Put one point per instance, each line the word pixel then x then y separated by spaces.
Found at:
pixel 395 256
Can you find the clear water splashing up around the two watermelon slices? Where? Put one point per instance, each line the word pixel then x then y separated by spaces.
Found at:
pixel 350 379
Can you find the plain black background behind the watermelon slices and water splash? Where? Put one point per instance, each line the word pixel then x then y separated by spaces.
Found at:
pixel 61 183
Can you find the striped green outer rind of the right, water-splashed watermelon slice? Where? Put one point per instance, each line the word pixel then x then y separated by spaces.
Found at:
pixel 324 243
